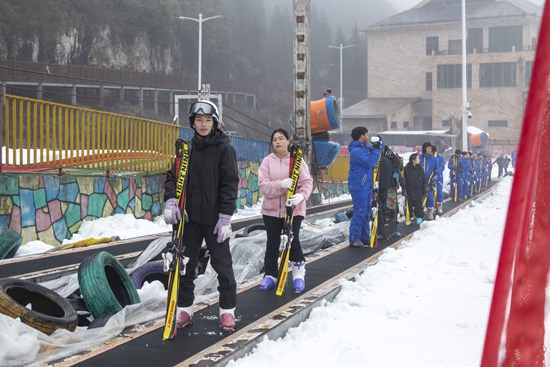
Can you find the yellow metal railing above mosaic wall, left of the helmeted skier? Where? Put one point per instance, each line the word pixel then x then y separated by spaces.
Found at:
pixel 41 134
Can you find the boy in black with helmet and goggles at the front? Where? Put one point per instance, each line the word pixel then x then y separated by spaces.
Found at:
pixel 211 195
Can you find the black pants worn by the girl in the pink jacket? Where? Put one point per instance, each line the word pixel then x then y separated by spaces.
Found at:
pixel 273 228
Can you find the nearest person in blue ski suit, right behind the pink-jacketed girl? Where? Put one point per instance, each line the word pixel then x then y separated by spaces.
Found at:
pixel 363 158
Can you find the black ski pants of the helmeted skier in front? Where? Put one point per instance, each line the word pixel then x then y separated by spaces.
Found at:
pixel 220 259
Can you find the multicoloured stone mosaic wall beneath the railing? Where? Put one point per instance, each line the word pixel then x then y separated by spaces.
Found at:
pixel 51 208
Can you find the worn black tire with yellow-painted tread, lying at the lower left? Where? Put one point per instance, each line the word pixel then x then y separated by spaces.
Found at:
pixel 49 310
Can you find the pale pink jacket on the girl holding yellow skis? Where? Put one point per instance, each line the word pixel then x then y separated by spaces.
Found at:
pixel 272 171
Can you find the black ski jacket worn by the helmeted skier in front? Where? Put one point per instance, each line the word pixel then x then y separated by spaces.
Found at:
pixel 212 179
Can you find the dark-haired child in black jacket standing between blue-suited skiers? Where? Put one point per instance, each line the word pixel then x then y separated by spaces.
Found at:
pixel 416 186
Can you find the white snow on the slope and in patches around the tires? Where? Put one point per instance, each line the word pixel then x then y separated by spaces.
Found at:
pixel 425 303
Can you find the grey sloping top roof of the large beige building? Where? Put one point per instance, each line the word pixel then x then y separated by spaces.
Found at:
pixel 432 11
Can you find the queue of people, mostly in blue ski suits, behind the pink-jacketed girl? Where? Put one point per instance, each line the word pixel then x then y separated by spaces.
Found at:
pixel 421 182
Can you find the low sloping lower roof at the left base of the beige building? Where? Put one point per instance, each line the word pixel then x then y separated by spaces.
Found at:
pixel 376 107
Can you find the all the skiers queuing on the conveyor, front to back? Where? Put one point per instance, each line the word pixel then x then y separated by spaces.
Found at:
pixel 376 173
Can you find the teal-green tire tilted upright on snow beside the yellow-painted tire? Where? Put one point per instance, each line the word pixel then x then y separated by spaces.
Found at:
pixel 105 285
